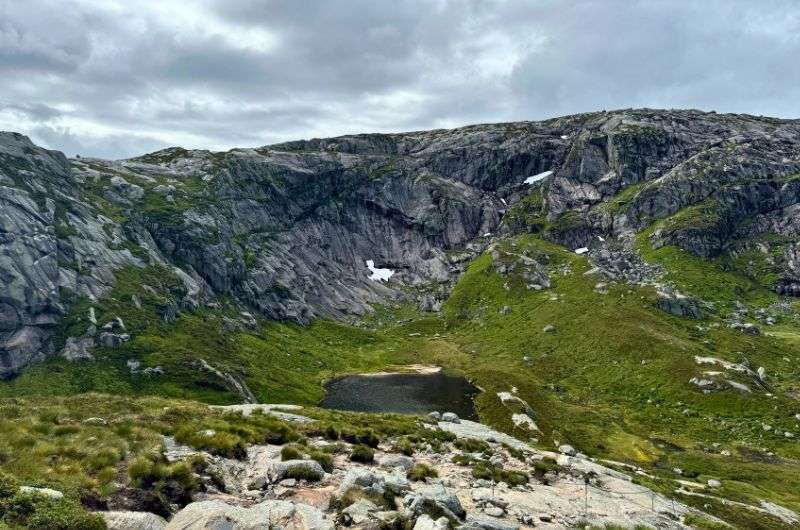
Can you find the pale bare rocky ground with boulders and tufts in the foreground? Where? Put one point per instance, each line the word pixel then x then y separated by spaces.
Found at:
pixel 429 490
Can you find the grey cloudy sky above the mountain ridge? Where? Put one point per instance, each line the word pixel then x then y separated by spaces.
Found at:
pixel 115 79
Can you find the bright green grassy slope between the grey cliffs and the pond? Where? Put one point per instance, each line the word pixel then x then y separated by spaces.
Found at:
pixel 612 379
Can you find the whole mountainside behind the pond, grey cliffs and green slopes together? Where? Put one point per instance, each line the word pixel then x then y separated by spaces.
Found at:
pixel 631 277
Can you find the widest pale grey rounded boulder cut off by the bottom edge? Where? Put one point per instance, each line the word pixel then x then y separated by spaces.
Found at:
pixel 216 515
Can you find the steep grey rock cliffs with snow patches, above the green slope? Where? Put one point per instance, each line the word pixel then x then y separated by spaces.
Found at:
pixel 286 230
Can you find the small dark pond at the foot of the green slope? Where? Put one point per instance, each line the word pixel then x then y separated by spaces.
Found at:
pixel 402 393
